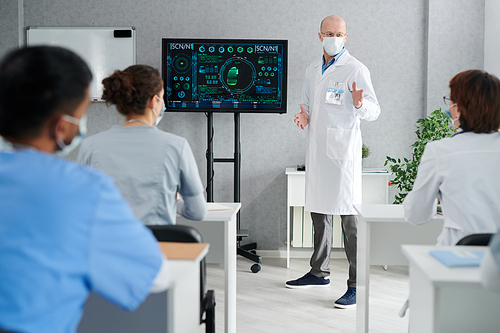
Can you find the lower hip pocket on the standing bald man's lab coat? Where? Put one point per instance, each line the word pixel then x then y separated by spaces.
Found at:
pixel 340 144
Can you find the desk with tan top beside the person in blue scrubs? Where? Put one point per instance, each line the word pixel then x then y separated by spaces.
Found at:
pixel 176 310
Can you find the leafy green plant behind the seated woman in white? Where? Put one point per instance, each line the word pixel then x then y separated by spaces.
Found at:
pixel 434 127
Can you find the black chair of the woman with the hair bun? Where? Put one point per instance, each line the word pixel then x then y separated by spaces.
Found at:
pixel 187 234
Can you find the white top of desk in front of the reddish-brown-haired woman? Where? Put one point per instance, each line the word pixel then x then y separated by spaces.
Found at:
pixel 385 213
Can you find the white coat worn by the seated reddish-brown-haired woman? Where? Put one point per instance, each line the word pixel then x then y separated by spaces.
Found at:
pixel 464 172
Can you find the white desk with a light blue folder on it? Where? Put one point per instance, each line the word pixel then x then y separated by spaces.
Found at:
pixel 444 299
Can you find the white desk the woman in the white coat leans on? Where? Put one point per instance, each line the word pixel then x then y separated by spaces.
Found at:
pixel 382 230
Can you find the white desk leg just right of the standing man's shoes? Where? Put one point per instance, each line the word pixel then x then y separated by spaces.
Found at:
pixel 363 276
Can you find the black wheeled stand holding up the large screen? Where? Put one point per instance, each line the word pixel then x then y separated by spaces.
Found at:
pixel 247 250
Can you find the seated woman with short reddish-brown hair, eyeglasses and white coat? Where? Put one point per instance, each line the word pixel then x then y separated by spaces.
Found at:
pixel 462 170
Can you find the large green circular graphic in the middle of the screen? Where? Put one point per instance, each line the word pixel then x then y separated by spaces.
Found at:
pixel 237 75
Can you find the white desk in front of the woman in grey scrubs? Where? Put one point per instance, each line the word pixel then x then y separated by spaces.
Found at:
pixel 219 229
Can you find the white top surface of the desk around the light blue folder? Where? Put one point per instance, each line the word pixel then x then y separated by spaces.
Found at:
pixel 437 272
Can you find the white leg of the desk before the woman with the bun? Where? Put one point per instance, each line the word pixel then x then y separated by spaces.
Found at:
pixel 230 276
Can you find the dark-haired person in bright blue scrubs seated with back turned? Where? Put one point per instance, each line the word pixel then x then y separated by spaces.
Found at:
pixel 65 230
